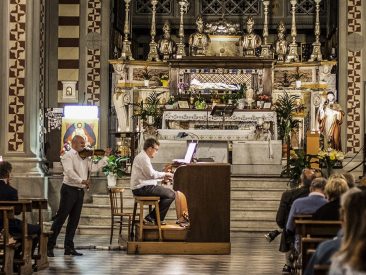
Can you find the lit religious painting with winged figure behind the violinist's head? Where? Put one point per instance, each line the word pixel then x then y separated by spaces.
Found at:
pixel 87 128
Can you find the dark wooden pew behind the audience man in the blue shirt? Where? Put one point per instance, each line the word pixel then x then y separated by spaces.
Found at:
pixel 313 232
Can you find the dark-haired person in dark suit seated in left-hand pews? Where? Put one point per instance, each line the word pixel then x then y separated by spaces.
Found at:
pixel 9 193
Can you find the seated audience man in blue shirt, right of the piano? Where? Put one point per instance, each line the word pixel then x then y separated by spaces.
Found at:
pixel 309 204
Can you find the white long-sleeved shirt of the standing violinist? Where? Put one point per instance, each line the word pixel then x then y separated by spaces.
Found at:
pixel 76 169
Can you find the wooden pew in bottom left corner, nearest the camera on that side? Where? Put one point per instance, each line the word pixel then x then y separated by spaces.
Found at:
pixel 23 206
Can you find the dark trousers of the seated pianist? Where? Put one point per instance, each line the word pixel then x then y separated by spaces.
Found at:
pixel 166 195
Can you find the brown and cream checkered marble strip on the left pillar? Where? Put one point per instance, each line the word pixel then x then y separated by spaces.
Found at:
pixel 16 75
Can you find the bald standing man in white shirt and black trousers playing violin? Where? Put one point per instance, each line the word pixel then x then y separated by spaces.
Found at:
pixel 76 171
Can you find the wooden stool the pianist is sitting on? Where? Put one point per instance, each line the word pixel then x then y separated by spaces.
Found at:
pixel 150 201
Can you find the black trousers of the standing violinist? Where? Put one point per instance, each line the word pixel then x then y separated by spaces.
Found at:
pixel 71 203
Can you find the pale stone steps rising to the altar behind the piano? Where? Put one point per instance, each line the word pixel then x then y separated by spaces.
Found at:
pixel 254 203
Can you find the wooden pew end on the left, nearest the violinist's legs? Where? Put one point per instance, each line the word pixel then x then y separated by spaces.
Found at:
pixel 41 258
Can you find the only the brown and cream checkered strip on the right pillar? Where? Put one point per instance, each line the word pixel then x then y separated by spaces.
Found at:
pixel 354 82
